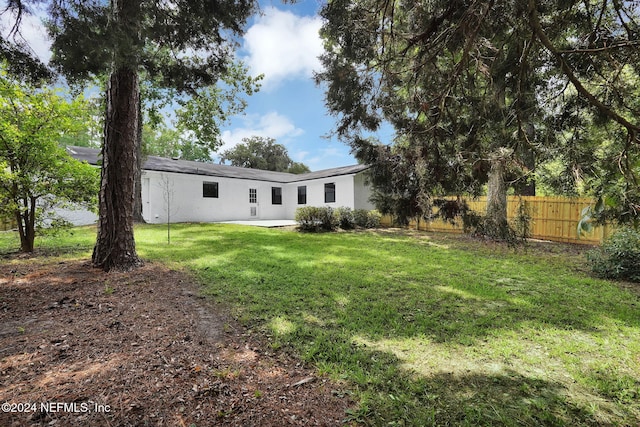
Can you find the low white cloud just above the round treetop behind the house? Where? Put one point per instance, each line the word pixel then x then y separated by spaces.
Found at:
pixel 272 125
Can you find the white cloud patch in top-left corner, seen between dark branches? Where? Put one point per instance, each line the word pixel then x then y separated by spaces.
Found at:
pixel 32 31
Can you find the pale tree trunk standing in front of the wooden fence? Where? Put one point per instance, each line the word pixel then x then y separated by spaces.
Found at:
pixel 496 225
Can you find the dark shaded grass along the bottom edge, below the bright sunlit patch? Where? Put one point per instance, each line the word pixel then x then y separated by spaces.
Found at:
pixel 484 394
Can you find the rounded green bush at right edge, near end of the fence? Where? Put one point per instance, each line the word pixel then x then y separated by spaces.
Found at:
pixel 619 256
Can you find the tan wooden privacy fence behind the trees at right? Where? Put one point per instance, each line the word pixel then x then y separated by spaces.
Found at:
pixel 552 218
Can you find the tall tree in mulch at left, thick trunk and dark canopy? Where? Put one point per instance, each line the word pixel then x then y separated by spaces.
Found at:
pixel 186 45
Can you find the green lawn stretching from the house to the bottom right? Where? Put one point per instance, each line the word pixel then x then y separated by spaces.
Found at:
pixel 423 329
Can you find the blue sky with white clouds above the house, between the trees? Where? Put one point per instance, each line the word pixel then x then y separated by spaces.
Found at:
pixel 283 44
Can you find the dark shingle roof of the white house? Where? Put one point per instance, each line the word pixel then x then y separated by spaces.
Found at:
pixel 161 164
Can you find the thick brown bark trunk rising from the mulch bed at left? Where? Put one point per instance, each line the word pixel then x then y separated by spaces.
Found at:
pixel 115 245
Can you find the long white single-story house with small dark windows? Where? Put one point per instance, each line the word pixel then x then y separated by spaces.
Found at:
pixel 188 191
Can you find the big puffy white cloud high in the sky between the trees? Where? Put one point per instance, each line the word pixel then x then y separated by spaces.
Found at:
pixel 282 45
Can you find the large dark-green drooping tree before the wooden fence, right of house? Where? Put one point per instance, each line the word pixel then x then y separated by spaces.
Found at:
pixel 446 75
